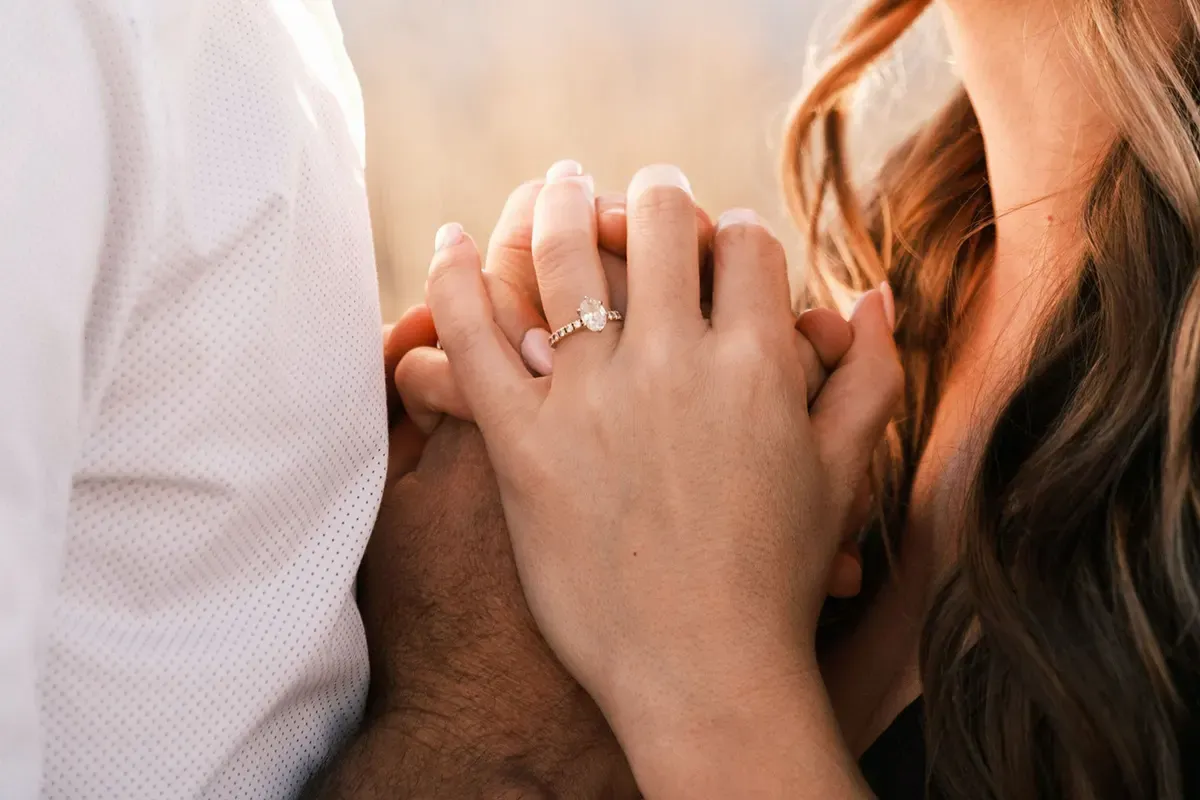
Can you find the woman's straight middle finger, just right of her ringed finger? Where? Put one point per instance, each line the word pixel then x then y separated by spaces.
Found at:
pixel 664 257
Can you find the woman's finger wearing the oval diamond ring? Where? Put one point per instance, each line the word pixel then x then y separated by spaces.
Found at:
pixel 567 260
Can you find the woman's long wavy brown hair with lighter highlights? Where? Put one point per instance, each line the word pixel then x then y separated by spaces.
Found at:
pixel 1060 660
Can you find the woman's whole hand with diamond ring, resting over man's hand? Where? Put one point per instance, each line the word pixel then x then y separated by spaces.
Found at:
pixel 674 508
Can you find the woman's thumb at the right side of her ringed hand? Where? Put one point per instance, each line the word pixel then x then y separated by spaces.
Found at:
pixel 861 398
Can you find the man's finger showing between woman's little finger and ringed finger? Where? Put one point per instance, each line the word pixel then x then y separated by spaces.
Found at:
pixel 512 284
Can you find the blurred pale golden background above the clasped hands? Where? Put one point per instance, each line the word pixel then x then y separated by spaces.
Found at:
pixel 467 99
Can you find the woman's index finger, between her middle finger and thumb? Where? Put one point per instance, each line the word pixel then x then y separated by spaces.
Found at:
pixel 751 288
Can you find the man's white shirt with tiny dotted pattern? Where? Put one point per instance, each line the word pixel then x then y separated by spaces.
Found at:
pixel 193 423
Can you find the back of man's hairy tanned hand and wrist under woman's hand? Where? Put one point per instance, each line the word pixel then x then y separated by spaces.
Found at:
pixel 467 700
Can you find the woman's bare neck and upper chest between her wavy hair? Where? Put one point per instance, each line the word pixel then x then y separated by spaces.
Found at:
pixel 1045 137
